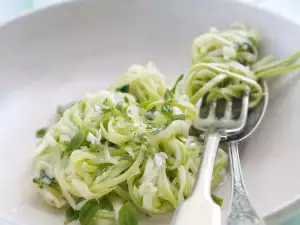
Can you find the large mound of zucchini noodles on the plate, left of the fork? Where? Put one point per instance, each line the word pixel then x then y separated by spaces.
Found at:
pixel 130 143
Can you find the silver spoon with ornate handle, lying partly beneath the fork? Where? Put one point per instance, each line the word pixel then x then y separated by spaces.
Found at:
pixel 241 210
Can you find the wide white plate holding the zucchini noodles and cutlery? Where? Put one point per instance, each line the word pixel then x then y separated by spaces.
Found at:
pixel 61 53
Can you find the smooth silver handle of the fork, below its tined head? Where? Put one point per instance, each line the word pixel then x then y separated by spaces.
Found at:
pixel 199 208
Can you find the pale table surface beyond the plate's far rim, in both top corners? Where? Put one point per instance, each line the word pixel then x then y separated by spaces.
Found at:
pixel 12 8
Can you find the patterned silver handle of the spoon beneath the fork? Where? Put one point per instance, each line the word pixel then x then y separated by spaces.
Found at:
pixel 242 211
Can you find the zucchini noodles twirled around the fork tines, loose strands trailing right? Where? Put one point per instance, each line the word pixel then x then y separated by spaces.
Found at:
pixel 225 66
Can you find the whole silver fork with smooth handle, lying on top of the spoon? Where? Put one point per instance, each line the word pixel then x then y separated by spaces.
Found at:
pixel 199 208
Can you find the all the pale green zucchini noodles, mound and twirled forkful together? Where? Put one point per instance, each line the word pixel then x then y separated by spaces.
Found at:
pixel 131 144
